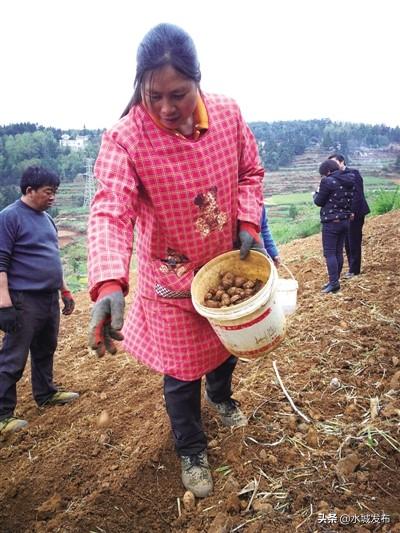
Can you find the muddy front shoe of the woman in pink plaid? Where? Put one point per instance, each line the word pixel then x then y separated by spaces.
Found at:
pixel 196 474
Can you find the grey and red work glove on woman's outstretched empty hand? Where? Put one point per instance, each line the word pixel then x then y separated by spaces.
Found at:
pixel 107 318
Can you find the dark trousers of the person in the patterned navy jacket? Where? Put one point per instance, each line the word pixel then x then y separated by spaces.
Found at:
pixel 333 237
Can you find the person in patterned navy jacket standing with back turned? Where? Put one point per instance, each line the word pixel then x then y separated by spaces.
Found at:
pixel 335 197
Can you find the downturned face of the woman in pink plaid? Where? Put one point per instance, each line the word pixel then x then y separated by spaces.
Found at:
pixel 171 98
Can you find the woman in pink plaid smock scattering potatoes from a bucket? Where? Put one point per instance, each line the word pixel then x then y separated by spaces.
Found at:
pixel 182 167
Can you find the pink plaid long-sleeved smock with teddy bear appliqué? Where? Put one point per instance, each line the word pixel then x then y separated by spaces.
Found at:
pixel 184 198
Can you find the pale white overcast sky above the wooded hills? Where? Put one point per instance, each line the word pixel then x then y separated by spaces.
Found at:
pixel 71 63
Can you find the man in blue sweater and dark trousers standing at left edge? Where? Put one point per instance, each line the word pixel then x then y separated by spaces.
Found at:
pixel 30 283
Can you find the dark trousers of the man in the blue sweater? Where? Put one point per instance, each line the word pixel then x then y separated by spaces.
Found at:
pixel 38 319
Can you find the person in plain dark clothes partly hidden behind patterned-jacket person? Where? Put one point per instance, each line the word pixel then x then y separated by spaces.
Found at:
pixel 360 209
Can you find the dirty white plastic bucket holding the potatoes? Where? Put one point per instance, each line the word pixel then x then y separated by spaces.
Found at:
pixel 251 328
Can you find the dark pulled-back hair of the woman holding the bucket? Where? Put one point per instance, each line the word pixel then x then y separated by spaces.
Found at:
pixel 165 44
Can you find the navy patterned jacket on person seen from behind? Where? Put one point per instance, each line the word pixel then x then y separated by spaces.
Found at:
pixel 335 196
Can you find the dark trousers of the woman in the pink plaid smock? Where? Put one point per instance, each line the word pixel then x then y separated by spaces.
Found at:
pixel 183 403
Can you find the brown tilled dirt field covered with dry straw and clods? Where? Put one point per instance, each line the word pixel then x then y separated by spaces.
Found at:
pixel 340 364
